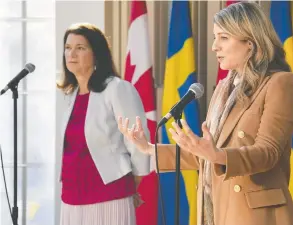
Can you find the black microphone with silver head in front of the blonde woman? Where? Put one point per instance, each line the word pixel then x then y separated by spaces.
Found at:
pixel 195 91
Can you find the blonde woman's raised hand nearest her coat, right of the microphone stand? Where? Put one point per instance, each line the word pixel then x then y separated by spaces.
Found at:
pixel 203 147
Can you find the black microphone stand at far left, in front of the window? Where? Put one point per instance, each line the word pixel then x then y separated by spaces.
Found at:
pixel 15 208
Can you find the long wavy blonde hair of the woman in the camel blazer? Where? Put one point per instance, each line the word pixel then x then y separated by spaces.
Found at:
pixel 246 21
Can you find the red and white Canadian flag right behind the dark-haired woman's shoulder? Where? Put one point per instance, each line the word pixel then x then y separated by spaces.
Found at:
pixel 138 71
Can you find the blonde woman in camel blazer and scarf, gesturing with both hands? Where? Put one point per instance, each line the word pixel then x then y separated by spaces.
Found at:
pixel 243 156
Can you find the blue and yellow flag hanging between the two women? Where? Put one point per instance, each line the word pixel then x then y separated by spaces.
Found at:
pixel 180 73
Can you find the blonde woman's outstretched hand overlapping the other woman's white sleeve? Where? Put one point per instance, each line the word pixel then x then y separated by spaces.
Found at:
pixel 135 134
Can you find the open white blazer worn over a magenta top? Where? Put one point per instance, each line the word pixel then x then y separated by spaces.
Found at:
pixel 112 154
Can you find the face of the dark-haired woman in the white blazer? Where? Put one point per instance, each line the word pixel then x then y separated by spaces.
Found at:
pixel 79 56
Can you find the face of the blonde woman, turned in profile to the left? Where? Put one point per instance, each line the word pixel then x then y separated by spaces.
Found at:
pixel 232 53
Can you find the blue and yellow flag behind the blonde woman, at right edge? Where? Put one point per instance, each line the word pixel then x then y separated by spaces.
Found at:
pixel 282 19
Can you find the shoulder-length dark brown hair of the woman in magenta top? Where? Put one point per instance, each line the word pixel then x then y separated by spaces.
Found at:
pixel 104 64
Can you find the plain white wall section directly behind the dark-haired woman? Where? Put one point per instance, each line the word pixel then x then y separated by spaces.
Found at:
pixel 68 12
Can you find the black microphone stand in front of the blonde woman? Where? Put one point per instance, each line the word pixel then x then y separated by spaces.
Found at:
pixel 177 116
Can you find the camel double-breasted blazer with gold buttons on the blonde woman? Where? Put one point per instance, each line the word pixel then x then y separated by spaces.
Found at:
pixel 252 189
